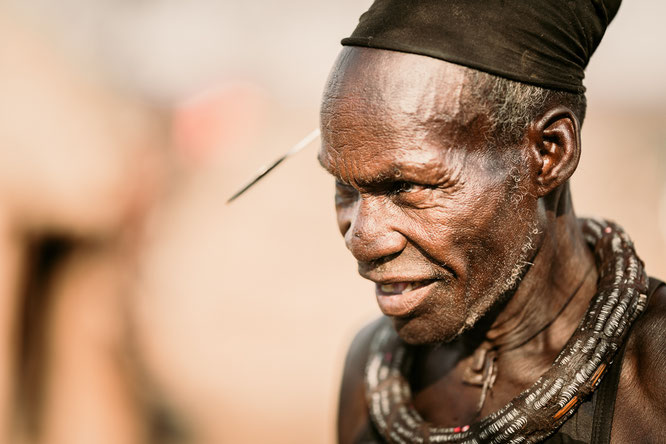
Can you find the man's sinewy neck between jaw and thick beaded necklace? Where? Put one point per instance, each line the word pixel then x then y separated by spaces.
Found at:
pixel 552 296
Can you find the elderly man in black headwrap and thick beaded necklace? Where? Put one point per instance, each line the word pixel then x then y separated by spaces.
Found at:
pixel 452 129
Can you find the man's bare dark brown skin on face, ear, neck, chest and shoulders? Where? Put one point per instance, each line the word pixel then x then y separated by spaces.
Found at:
pixel 462 220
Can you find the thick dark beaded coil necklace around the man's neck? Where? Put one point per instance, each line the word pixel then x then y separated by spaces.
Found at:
pixel 541 409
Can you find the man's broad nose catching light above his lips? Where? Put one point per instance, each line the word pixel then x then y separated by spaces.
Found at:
pixel 371 232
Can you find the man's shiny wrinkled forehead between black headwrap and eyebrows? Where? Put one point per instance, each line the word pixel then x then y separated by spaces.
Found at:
pixel 386 100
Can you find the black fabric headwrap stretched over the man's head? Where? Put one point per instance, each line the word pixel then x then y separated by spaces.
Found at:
pixel 547 43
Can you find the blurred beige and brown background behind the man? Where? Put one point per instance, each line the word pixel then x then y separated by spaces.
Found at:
pixel 135 305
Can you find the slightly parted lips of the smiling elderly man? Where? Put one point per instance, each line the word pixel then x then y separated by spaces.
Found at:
pixel 401 298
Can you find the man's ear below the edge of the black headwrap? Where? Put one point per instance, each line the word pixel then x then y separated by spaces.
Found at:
pixel 555 147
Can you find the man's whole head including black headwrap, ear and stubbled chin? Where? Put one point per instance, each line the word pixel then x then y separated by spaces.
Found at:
pixel 452 128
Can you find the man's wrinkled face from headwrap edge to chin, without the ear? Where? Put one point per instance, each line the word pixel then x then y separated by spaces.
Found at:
pixel 436 216
